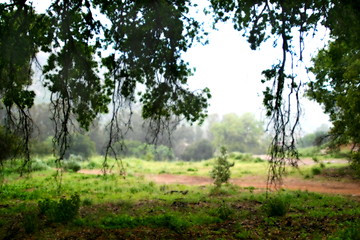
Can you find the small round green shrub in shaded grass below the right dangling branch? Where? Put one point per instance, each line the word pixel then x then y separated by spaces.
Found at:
pixel 277 206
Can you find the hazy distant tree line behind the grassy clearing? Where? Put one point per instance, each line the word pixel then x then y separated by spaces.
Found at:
pixel 190 143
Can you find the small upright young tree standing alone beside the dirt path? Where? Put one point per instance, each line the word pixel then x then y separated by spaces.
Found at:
pixel 221 171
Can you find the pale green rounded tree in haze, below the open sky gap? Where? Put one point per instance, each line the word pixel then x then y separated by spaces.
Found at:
pixel 239 133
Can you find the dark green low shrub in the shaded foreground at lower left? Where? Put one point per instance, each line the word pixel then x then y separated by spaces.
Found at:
pixel 62 211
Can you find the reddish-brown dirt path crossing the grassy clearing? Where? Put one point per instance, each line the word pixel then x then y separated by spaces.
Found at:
pixel 292 183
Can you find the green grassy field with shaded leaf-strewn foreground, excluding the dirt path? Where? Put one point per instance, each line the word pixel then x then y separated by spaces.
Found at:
pixel 111 207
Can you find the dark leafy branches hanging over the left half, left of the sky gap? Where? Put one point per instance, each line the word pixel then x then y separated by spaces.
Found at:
pixel 145 39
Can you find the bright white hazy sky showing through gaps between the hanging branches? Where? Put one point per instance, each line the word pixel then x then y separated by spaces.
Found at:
pixel 233 72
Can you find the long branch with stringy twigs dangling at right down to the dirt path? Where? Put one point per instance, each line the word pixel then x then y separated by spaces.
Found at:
pixel 261 20
